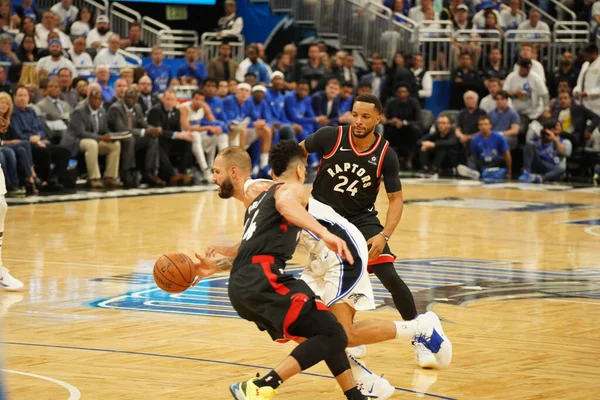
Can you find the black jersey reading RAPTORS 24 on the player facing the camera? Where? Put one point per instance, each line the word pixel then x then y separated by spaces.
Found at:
pixel 348 180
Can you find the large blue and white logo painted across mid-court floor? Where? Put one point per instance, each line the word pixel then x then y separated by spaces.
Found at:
pixel 444 280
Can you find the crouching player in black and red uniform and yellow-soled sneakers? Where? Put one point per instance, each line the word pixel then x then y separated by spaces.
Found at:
pixel 260 290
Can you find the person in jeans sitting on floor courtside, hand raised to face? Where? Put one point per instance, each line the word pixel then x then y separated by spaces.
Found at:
pixel 544 153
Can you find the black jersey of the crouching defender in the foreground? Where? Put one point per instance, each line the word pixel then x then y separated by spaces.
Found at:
pixel 266 232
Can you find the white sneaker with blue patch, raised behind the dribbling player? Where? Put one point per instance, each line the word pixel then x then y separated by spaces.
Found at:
pixel 430 337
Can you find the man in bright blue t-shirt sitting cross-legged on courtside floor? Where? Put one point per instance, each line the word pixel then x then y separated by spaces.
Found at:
pixel 490 155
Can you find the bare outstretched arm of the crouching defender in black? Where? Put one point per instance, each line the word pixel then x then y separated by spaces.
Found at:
pixel 291 200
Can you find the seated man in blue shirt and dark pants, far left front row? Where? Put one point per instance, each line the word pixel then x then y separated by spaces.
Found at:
pixel 26 126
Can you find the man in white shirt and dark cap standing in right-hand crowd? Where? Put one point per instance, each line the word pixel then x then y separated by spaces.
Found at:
pixel 529 93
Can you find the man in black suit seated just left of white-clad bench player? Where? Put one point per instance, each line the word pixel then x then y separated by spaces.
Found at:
pixel 175 144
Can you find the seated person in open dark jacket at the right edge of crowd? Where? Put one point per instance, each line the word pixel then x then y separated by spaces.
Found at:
pixel 577 122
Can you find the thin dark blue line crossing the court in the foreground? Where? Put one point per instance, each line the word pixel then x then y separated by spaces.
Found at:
pixel 137 353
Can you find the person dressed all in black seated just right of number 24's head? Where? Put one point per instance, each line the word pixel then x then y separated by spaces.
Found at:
pixel 403 124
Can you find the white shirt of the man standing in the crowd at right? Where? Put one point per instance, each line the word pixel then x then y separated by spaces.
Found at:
pixel 535 90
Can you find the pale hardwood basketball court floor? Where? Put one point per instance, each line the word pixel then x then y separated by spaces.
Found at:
pixel 519 290
